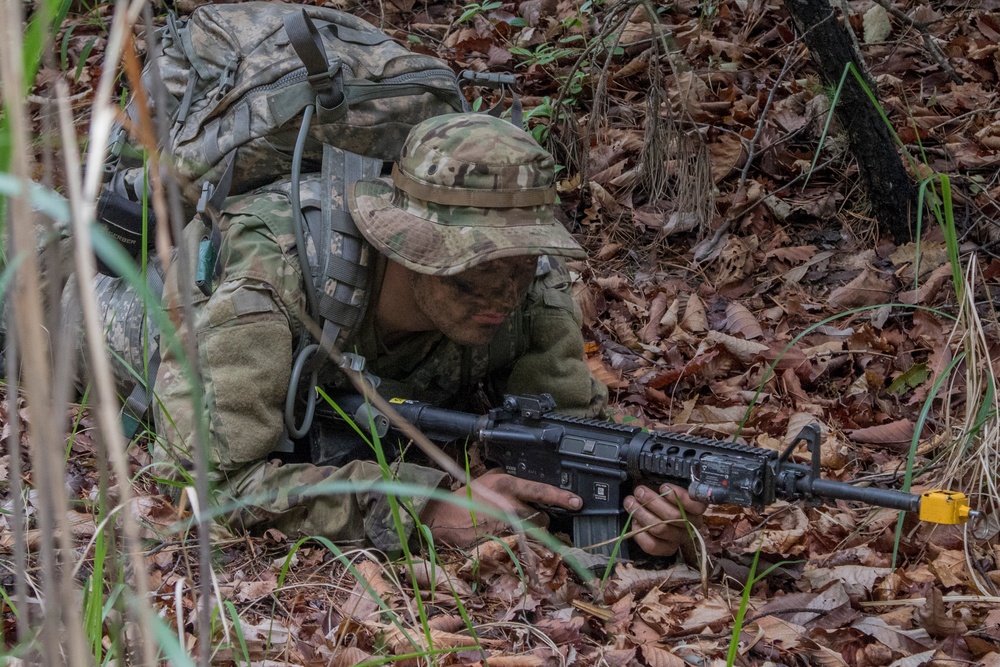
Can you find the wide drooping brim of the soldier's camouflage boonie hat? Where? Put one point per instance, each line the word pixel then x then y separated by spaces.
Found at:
pixel 432 247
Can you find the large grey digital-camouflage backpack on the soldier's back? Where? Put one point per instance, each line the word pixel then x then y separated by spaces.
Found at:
pixel 234 81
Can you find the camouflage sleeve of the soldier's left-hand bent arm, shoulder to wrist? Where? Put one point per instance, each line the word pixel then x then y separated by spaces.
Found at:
pixel 245 334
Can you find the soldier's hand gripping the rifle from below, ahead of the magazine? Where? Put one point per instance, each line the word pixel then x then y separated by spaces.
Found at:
pixel 664 517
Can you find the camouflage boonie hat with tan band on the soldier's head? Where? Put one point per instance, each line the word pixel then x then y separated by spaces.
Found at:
pixel 468 189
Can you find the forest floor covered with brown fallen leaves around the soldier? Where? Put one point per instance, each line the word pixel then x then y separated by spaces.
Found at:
pixel 745 292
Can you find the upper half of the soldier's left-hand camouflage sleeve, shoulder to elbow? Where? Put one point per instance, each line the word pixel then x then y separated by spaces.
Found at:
pixel 244 334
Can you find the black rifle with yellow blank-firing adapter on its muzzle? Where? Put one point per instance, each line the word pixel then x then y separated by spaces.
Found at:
pixel 602 461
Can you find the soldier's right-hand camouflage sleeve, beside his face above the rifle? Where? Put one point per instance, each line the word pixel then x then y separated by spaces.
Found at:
pixel 553 359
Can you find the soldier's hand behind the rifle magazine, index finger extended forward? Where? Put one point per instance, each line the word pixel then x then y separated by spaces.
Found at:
pixel 452 524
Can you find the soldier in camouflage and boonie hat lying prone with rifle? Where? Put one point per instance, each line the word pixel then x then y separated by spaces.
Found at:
pixel 457 286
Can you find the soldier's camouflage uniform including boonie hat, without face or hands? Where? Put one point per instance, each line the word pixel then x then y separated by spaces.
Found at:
pixel 247 329
